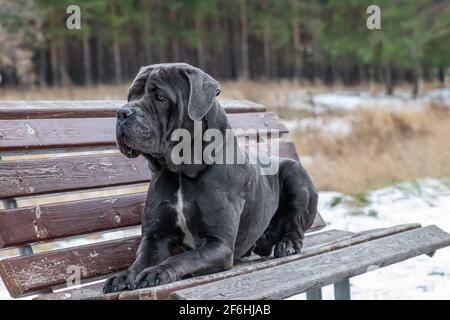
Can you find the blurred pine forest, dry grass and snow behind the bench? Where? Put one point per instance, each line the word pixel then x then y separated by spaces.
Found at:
pixel 369 110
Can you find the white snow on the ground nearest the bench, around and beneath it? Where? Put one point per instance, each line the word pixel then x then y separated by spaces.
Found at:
pixel 425 201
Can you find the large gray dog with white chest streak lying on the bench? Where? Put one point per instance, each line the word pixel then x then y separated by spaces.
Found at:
pixel 200 218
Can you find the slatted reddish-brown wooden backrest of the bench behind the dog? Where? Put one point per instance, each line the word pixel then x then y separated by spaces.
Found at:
pixel 62 176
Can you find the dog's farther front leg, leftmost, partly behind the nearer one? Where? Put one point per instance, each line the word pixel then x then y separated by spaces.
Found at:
pixel 149 253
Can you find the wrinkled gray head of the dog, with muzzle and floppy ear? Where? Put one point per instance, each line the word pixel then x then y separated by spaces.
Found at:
pixel 162 98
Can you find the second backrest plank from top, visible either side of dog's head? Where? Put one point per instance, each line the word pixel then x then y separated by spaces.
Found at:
pixel 75 132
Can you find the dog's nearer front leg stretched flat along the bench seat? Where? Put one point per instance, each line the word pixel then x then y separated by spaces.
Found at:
pixel 213 256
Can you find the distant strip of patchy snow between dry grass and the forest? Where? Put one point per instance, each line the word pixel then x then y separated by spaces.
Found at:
pixel 346 101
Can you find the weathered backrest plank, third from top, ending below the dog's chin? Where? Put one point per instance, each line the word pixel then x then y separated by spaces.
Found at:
pixel 30 177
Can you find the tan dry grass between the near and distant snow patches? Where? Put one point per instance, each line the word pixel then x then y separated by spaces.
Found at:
pixel 384 147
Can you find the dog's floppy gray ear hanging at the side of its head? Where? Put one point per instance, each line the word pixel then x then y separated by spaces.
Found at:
pixel 202 90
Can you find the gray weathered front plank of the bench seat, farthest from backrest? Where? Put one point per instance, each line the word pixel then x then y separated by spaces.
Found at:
pixel 296 277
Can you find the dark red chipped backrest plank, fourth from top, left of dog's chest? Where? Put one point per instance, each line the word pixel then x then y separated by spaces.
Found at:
pixel 67 219
